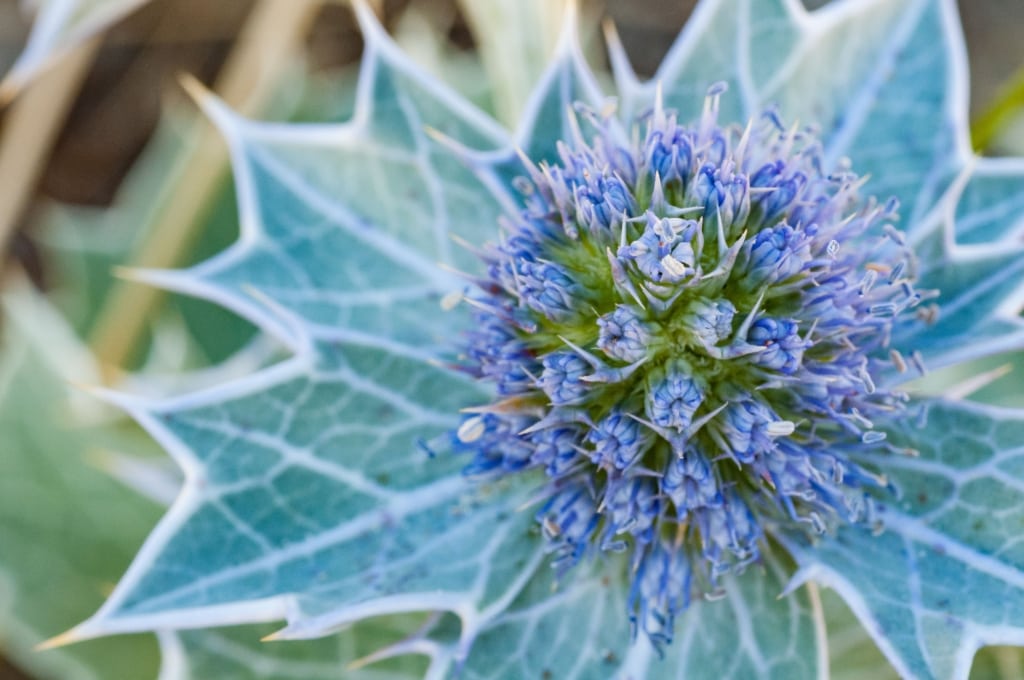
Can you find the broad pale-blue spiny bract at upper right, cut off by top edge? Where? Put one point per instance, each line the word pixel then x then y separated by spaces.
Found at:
pixel 882 80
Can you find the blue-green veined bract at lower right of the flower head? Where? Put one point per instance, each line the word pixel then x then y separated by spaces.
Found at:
pixel 947 577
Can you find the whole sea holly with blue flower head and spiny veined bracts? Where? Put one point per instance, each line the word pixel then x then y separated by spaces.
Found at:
pixel 612 396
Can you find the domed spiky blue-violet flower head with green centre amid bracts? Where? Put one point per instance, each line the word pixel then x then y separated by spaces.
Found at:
pixel 684 331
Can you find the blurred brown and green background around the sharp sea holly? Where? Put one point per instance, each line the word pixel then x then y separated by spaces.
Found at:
pixel 105 162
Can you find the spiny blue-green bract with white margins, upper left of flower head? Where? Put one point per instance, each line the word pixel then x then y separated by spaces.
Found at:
pixel 346 225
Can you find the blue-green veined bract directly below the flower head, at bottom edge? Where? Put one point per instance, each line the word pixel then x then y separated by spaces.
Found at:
pixel 579 630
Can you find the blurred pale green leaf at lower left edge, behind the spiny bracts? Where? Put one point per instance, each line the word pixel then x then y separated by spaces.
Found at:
pixel 67 530
